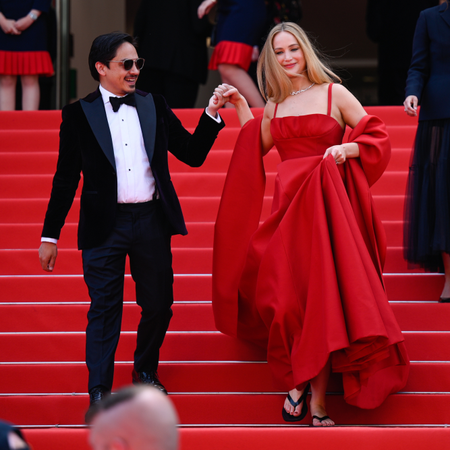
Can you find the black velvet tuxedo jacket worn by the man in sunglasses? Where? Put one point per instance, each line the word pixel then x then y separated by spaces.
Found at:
pixel 86 147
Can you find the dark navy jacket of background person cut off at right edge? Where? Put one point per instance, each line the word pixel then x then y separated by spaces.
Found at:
pixel 429 73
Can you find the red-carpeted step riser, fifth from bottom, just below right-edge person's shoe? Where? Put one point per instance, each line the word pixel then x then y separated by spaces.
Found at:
pixel 61 317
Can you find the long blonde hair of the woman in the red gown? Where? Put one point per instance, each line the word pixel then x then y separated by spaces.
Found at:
pixel 273 81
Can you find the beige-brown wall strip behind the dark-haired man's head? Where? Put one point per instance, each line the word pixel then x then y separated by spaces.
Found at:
pixel 89 19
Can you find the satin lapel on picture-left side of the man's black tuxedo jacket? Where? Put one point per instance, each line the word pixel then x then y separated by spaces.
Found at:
pixel 96 116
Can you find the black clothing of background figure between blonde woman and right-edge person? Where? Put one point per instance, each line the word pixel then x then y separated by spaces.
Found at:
pixel 391 25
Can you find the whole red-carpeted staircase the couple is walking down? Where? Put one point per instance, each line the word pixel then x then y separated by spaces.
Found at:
pixel 221 387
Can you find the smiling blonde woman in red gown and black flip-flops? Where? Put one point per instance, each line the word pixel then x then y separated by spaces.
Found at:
pixel 307 284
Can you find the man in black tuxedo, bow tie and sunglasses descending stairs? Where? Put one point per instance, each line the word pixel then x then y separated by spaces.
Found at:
pixel 118 137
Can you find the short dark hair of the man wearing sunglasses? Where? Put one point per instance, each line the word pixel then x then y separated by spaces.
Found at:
pixel 104 49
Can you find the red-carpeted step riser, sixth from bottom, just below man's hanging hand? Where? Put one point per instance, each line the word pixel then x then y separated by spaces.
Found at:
pixel 67 288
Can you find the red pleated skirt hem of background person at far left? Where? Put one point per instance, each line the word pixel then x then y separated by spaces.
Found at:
pixel 26 63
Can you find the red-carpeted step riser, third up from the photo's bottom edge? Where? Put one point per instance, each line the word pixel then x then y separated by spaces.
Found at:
pixel 191 377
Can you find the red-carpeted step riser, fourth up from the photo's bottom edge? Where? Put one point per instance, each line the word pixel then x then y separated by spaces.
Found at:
pixel 183 346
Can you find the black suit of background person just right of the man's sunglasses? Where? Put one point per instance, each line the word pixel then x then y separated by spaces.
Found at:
pixel 172 38
